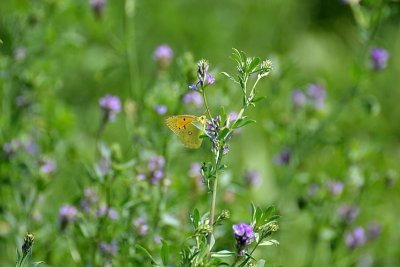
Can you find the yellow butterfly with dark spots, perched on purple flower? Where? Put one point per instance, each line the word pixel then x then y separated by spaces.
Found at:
pixel 187 132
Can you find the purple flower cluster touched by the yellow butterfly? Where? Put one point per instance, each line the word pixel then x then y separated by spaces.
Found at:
pixel 213 129
